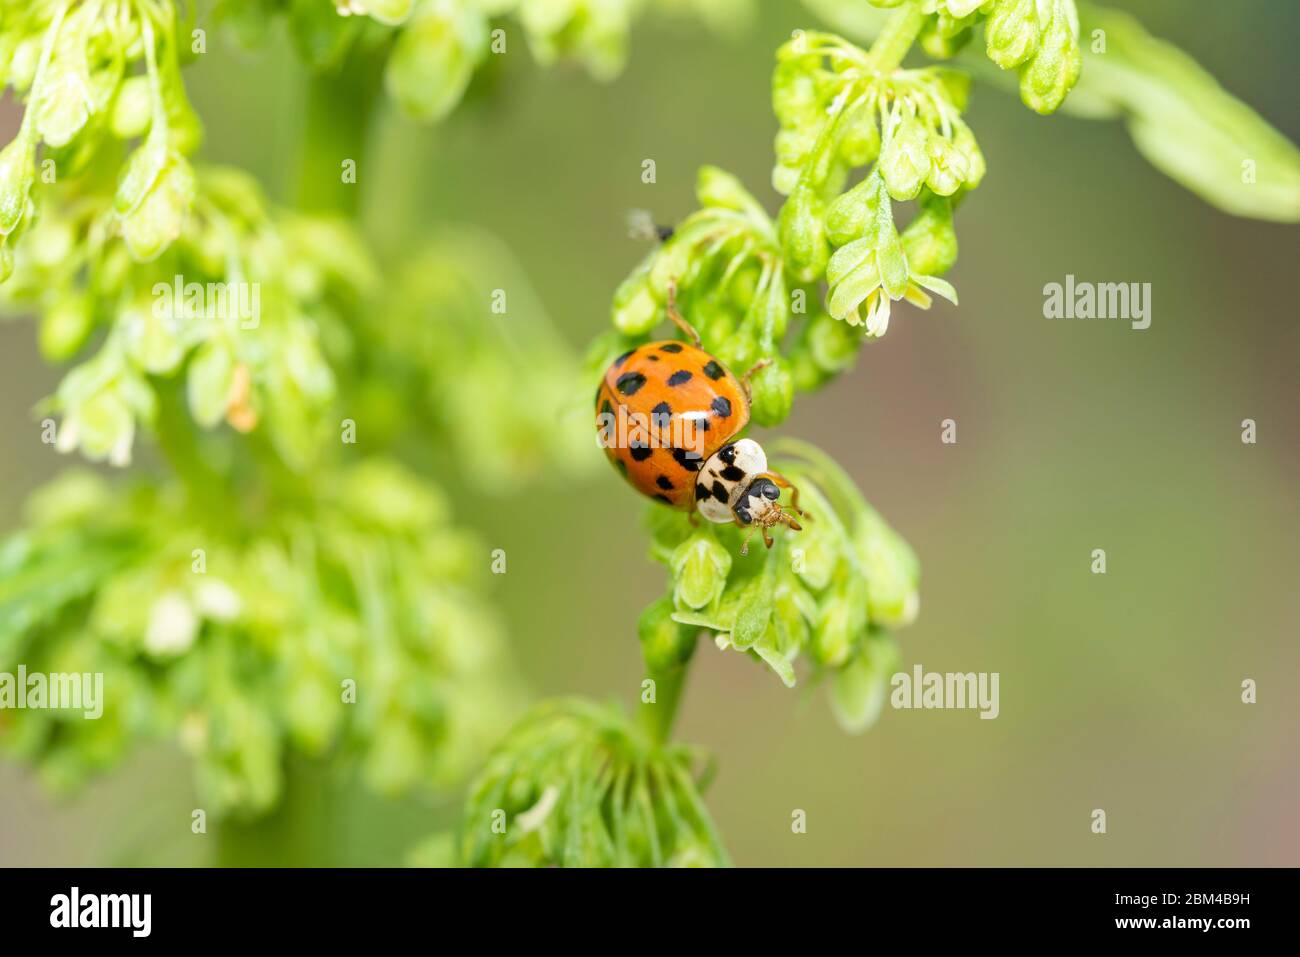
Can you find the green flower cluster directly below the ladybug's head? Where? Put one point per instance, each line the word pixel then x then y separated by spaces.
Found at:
pixel 830 595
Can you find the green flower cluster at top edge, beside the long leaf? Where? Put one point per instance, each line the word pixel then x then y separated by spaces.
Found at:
pixel 1041 38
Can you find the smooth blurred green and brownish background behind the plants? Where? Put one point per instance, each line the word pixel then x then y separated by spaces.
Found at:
pixel 1119 692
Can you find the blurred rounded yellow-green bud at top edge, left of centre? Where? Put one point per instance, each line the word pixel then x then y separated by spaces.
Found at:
pixel 434 60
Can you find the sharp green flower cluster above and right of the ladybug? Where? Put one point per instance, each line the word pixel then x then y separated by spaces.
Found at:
pixel 842 111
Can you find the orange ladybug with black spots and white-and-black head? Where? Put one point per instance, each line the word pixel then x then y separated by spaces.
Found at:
pixel 668 415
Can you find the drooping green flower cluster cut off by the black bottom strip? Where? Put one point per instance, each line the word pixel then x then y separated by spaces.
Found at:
pixel 575 785
